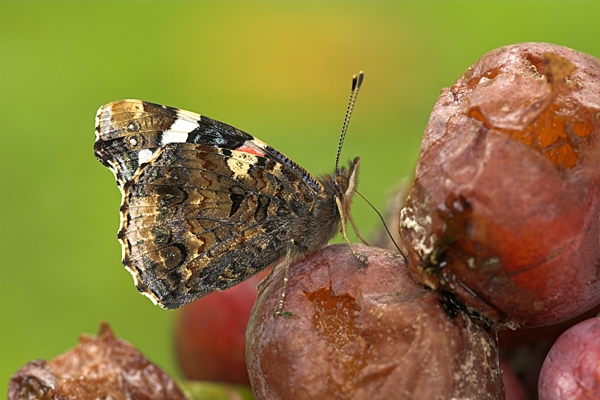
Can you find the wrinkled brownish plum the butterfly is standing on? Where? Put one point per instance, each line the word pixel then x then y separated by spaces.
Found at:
pixel 365 332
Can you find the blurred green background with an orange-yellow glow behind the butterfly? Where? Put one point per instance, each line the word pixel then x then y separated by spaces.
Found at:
pixel 278 70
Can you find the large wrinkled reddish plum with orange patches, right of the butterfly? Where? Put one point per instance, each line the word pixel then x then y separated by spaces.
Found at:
pixel 504 209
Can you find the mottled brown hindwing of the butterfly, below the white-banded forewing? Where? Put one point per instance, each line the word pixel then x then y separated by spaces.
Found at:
pixel 193 225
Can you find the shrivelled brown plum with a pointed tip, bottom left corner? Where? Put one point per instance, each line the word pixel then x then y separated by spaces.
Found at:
pixel 102 367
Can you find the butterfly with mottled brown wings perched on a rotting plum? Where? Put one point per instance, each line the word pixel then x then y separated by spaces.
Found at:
pixel 206 205
